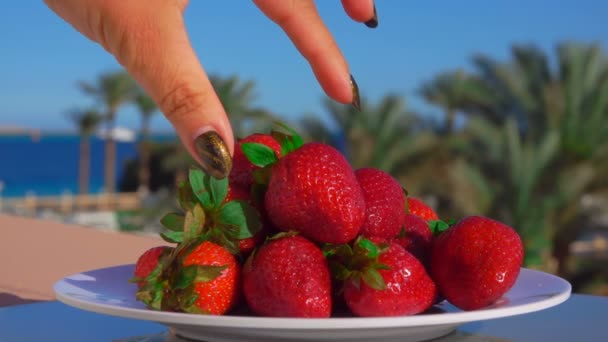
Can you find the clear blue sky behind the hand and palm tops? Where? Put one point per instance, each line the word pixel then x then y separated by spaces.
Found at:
pixel 42 57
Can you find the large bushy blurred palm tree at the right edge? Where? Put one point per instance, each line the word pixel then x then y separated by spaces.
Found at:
pixel 549 146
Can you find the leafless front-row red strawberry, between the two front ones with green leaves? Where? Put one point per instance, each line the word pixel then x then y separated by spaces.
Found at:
pixel 288 277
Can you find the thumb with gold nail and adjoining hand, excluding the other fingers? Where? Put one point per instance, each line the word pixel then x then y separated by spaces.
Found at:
pixel 149 39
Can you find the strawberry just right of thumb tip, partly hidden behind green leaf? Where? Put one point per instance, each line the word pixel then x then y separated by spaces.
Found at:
pixel 241 174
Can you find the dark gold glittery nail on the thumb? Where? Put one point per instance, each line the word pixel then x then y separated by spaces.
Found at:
pixel 214 154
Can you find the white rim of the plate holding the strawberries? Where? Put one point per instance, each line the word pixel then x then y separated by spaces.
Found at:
pixel 332 323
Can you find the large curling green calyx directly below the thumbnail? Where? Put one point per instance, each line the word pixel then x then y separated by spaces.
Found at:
pixel 207 215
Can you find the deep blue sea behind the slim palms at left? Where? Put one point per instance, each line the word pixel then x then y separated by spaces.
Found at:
pixel 49 166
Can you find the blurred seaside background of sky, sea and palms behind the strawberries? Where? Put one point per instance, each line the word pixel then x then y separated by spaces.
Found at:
pixel 495 109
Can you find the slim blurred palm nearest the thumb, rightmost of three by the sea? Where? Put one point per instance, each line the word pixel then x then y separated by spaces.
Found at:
pixel 147 108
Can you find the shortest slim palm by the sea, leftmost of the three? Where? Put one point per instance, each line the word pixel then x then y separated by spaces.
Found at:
pixel 86 121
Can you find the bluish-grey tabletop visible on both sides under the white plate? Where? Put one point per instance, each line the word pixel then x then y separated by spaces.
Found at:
pixel 581 318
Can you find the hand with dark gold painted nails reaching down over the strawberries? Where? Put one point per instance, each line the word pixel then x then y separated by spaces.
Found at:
pixel 148 38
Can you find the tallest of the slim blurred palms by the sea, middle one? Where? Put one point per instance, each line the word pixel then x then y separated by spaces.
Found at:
pixel 111 90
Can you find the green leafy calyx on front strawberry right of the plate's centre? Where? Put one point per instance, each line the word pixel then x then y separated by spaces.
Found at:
pixel 357 262
